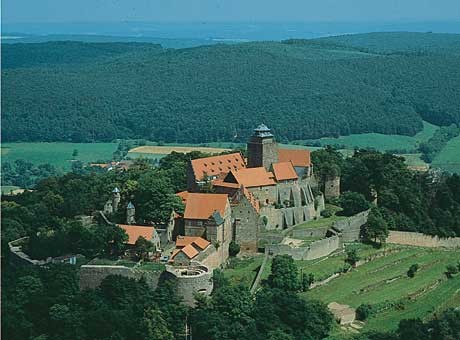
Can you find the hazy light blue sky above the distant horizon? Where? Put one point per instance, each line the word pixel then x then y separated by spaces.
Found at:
pixel 68 11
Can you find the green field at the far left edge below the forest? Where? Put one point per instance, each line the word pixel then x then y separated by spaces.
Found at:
pixel 57 154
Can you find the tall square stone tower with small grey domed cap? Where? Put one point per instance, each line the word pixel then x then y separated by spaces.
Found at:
pixel 262 148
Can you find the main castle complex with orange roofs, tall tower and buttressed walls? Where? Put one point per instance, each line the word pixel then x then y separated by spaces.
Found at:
pixel 270 190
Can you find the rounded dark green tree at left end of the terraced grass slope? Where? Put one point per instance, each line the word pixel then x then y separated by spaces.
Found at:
pixel 284 274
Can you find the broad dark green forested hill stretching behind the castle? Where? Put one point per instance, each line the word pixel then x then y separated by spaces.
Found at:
pixel 301 88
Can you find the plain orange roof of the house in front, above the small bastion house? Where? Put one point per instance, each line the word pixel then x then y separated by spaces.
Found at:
pixel 202 206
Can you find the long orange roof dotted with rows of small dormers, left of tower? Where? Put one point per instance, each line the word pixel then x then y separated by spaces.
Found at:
pixel 216 165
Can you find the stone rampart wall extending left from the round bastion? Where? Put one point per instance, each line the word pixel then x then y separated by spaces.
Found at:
pixel 91 276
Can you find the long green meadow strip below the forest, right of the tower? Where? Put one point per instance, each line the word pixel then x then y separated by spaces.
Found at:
pixel 382 142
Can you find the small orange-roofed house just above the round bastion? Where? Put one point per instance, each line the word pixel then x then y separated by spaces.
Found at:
pixel 187 249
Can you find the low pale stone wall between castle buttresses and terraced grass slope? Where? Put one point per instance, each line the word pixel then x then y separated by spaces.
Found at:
pixel 315 250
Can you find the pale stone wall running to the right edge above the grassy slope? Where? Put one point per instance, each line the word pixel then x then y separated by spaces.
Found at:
pixel 422 240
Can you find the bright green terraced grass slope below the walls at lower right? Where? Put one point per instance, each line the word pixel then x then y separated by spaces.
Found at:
pixel 383 283
